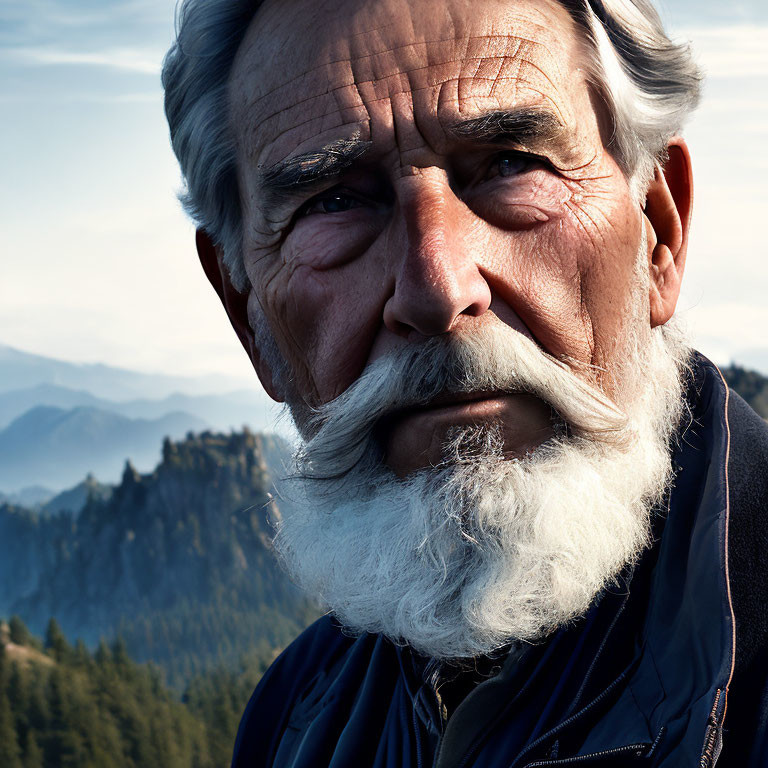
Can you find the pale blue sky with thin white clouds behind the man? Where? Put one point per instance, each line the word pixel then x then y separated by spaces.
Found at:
pixel 98 262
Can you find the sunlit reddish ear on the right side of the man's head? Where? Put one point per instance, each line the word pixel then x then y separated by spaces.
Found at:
pixel 668 208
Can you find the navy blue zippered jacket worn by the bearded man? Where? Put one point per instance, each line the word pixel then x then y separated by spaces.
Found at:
pixel 668 670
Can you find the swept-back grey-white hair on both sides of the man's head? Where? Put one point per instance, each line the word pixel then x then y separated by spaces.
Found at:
pixel 648 83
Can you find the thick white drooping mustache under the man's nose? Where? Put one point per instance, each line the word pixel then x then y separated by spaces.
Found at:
pixel 493 357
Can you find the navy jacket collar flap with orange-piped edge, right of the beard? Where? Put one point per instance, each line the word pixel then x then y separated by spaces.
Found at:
pixel 676 690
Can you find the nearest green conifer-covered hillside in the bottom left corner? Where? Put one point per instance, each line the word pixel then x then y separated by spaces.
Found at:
pixel 67 707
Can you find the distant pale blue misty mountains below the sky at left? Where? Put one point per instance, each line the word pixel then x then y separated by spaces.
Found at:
pixel 60 421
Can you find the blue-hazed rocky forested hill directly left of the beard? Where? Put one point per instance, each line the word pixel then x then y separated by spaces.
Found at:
pixel 177 561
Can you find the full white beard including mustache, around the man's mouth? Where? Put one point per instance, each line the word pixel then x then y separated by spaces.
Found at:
pixel 460 559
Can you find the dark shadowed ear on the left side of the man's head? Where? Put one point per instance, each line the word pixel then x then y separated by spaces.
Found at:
pixel 235 305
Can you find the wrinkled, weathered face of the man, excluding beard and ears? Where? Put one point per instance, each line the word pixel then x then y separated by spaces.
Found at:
pixel 411 168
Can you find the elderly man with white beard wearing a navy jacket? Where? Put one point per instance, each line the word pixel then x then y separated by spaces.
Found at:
pixel 450 236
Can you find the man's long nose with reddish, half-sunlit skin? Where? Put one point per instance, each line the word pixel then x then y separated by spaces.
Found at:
pixel 437 280
